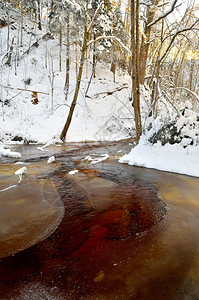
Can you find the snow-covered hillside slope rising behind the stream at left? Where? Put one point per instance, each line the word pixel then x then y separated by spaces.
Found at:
pixel 102 115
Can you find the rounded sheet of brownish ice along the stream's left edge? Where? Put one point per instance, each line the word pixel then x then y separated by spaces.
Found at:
pixel 29 211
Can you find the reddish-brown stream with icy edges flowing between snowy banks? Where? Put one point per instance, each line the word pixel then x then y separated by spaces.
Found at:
pixel 108 231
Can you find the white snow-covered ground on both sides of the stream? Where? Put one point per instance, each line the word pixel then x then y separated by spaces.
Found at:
pixel 98 117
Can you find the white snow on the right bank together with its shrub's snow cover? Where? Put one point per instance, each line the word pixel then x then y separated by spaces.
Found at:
pixel 181 157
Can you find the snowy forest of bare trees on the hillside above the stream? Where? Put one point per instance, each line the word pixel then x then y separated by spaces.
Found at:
pixel 148 50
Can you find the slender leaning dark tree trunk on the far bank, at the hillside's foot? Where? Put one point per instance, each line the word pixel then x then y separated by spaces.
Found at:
pixel 72 108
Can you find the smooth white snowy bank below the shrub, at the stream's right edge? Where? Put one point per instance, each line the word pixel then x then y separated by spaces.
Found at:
pixel 170 158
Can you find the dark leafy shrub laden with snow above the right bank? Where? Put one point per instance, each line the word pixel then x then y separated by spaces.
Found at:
pixel 184 129
